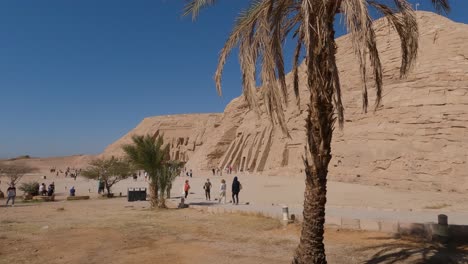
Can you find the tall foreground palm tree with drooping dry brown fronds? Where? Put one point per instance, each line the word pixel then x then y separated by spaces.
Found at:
pixel 260 31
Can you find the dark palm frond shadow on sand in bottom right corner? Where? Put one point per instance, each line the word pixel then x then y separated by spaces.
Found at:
pixel 418 252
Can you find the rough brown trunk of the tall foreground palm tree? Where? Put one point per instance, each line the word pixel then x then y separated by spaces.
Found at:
pixel 322 77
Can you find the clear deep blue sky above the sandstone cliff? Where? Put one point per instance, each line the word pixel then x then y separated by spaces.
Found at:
pixel 77 75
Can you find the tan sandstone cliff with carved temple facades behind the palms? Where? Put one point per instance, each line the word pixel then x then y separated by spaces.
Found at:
pixel 418 139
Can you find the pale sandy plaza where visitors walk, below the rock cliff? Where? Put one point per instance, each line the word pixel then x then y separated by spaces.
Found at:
pixel 269 193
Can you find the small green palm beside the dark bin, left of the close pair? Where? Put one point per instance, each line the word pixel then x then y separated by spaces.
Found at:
pixel 148 153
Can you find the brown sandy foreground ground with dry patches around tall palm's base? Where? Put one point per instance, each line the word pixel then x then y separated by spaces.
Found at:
pixel 115 231
